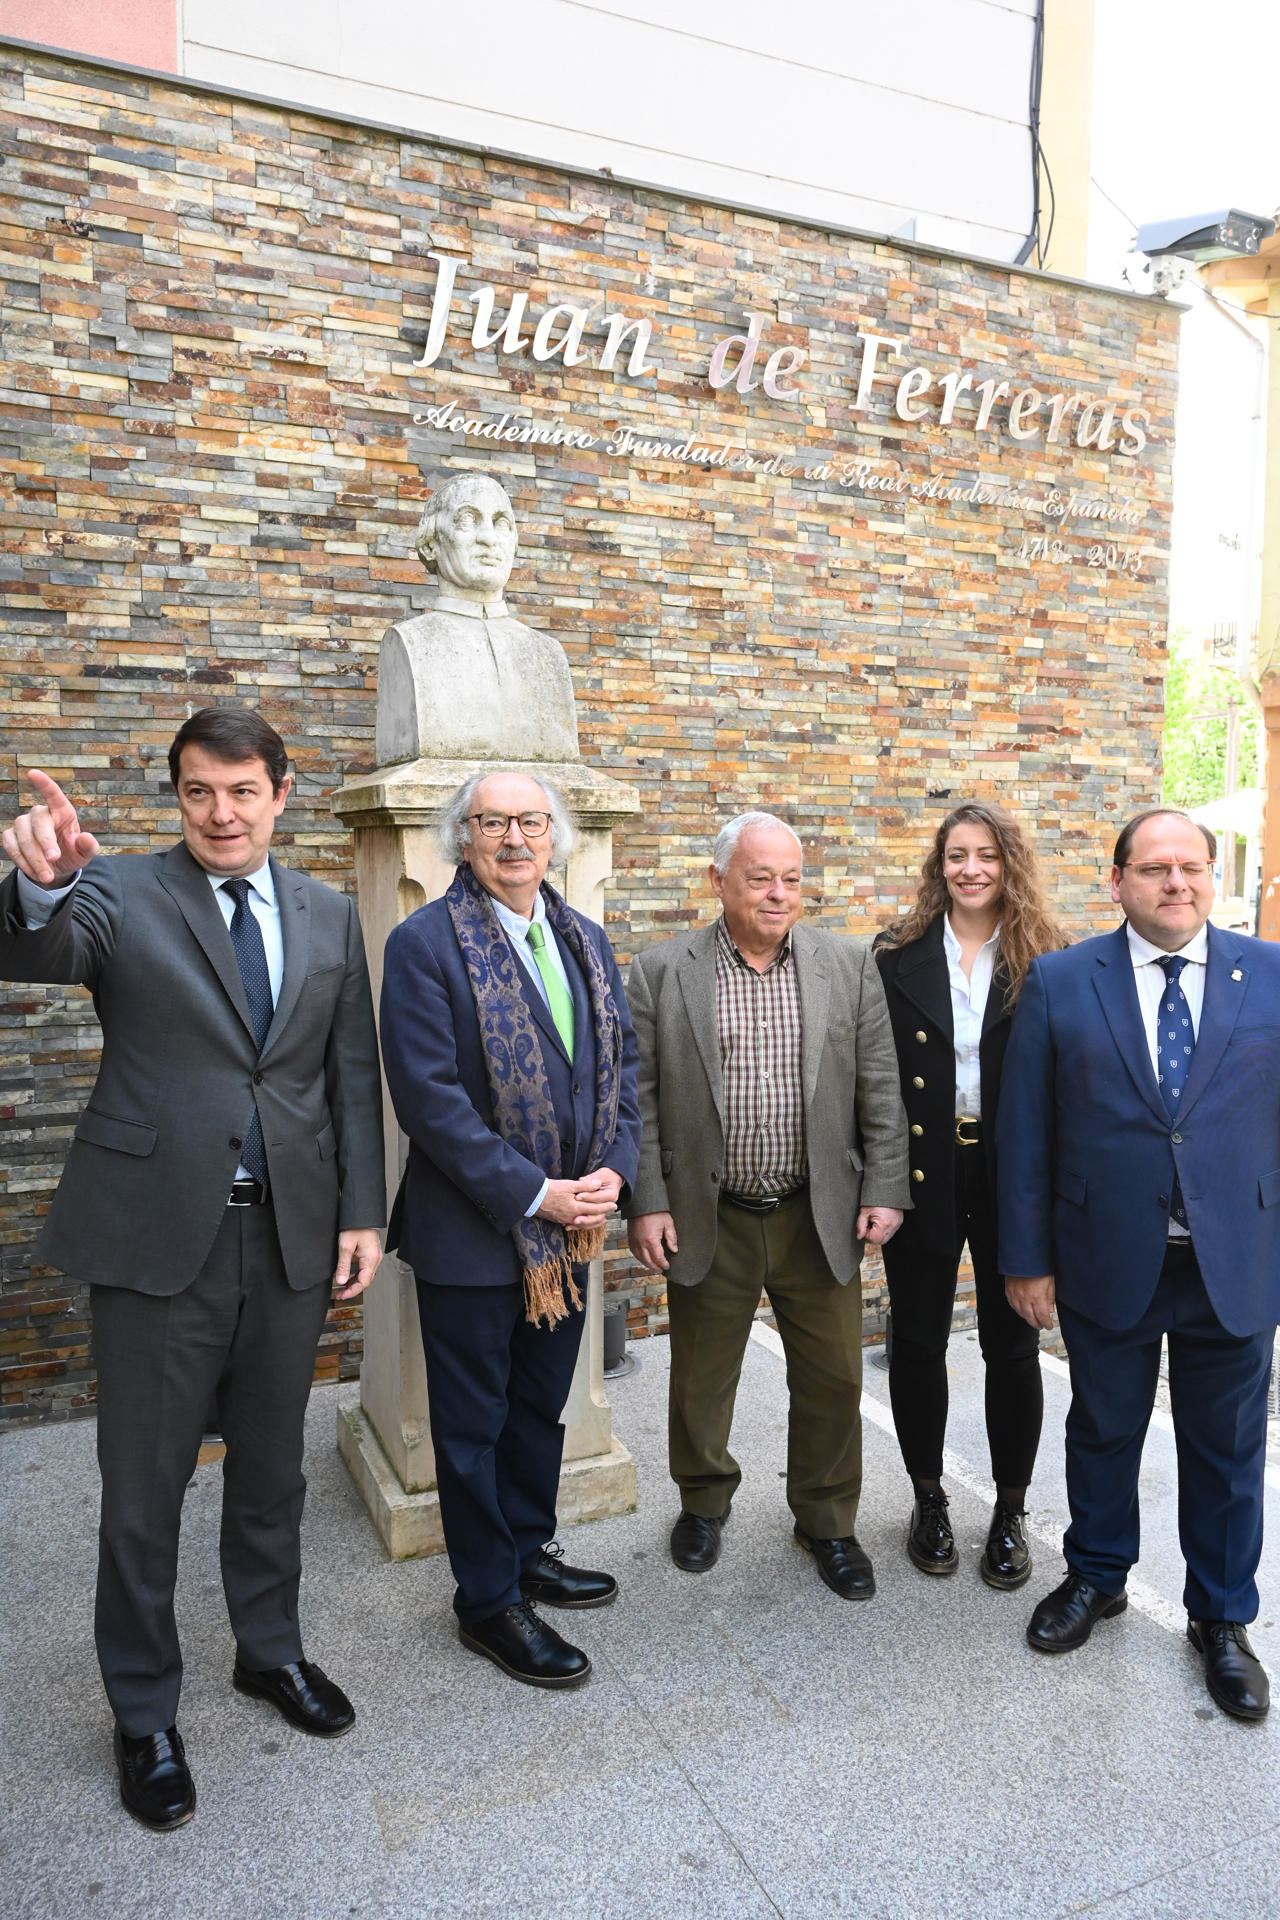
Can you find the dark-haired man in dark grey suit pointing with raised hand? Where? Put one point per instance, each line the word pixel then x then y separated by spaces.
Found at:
pixel 225 1170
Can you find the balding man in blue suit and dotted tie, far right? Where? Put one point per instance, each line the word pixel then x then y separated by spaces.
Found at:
pixel 1139 1149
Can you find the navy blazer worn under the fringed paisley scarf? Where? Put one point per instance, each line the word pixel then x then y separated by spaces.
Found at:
pixel 465 1188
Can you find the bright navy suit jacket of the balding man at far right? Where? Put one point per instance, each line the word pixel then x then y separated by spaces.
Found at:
pixel 1089 1153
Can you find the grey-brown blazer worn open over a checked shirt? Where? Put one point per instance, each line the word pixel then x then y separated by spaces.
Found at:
pixel 853 1109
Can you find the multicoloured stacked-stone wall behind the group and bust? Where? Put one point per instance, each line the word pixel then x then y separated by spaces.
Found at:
pixel 212 479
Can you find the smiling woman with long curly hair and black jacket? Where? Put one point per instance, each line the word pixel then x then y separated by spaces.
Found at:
pixel 953 971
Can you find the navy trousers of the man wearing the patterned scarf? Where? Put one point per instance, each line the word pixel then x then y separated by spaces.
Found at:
pixel 496 1389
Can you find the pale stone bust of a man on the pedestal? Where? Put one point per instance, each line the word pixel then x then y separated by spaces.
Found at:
pixel 467 681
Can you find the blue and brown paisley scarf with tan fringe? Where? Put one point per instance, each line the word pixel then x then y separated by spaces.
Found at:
pixel 513 1057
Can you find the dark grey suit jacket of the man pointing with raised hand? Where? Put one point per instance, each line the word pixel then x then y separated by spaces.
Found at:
pixel 156 1149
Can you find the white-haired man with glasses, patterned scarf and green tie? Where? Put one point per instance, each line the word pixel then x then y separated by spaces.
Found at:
pixel 511 1063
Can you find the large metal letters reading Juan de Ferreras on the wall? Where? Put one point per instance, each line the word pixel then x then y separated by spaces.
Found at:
pixel 920 396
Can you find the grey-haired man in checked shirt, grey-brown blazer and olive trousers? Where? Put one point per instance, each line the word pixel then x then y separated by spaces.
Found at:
pixel 774 1145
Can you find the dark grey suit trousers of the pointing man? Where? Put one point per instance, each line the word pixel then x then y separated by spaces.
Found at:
pixel 243 1337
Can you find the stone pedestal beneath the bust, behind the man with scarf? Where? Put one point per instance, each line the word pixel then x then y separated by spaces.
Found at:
pixel 387 1441
